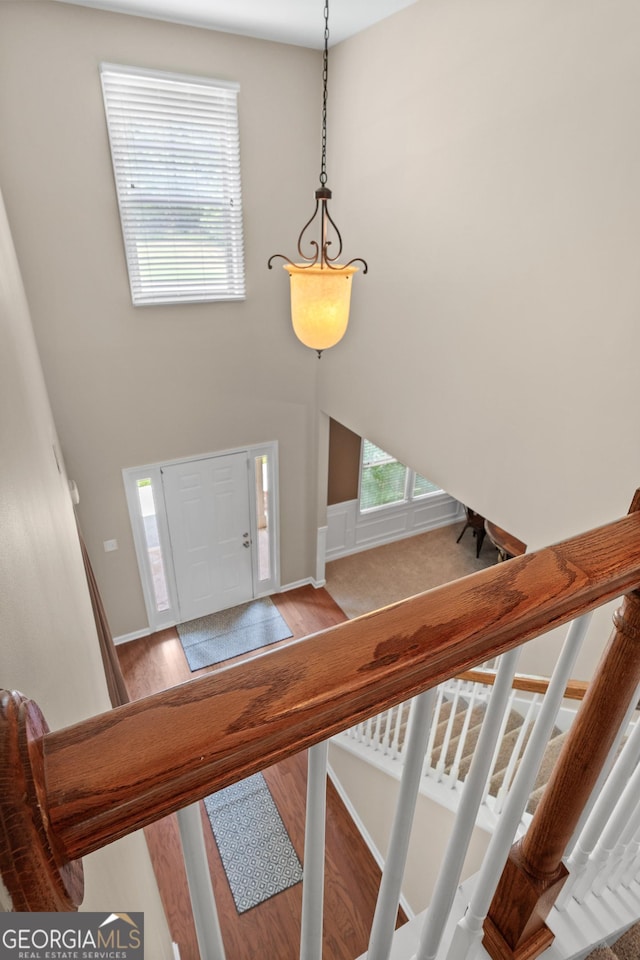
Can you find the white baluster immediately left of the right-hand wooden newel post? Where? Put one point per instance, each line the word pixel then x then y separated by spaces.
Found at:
pixel 468 932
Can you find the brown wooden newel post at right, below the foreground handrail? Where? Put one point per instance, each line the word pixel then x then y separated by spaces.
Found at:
pixel 534 874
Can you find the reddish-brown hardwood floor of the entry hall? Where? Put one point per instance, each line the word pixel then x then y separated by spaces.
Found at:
pixel 271 930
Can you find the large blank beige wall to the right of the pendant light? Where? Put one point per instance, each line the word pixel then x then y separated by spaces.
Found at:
pixel 483 158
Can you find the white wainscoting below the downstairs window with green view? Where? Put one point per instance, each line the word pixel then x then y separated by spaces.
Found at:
pixel 349 531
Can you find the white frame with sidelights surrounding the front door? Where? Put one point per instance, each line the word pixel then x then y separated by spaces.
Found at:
pixel 169 615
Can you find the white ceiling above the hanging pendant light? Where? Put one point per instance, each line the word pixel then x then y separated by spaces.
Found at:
pixel 299 22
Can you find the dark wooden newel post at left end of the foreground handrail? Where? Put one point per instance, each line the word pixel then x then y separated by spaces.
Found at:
pixel 34 874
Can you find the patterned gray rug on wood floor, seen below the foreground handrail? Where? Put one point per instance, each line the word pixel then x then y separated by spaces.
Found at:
pixel 255 849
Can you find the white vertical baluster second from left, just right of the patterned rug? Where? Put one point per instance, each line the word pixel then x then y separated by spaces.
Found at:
pixel 313 880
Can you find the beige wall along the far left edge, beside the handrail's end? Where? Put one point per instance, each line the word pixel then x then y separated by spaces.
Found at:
pixel 48 644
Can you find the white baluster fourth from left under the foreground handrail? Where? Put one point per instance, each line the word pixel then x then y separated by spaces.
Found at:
pixel 449 876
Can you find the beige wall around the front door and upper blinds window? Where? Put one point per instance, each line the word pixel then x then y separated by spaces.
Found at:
pixel 129 385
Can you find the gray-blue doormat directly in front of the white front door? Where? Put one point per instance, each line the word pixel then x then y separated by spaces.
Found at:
pixel 228 633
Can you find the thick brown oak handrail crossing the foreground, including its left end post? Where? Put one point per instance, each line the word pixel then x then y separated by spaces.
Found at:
pixel 100 779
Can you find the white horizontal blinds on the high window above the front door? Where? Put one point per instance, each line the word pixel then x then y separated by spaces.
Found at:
pixel 176 160
